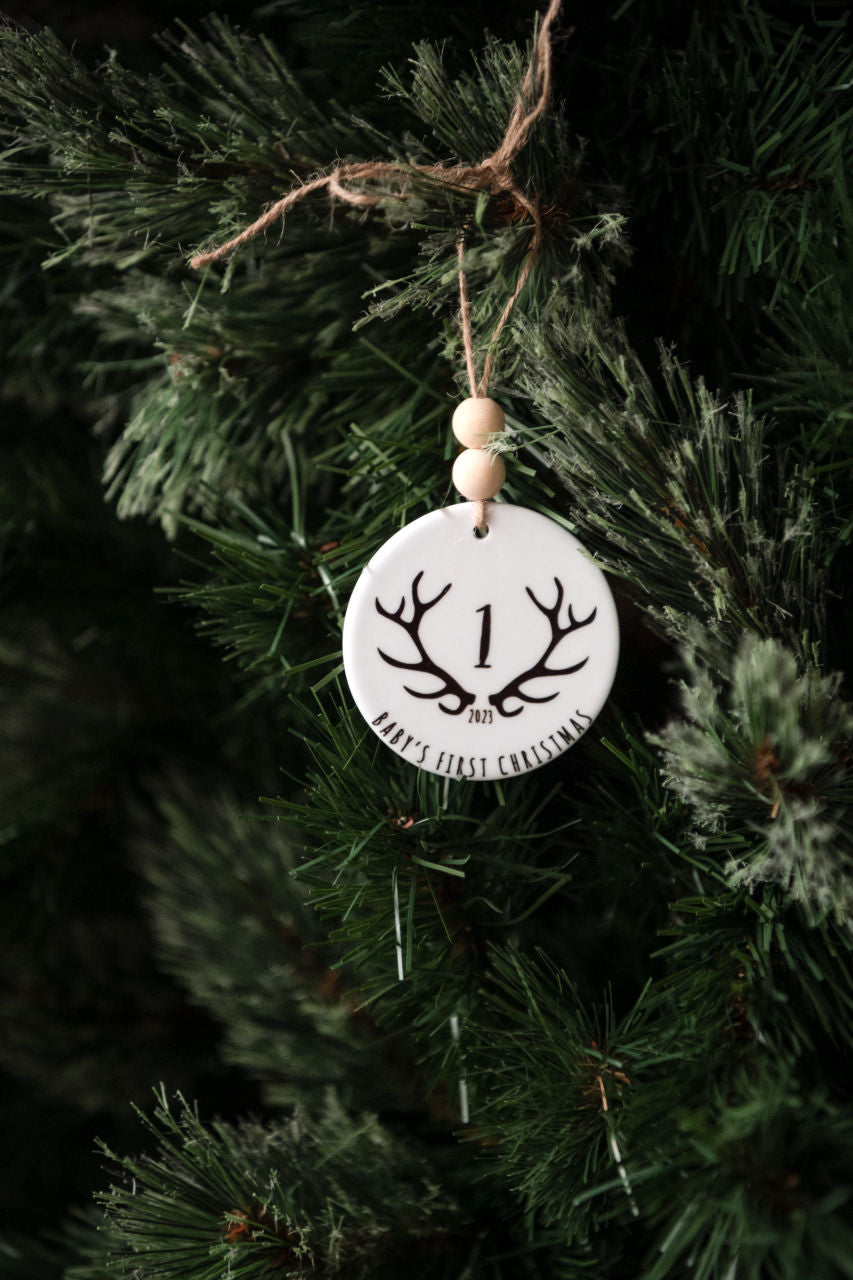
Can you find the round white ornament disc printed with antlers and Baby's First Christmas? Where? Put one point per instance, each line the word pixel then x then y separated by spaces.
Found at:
pixel 481 657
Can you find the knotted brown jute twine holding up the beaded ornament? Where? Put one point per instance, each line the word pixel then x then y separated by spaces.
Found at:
pixel 492 176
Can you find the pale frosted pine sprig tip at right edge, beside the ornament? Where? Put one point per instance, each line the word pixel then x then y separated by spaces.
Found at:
pixel 774 756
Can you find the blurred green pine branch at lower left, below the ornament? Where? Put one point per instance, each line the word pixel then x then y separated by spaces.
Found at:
pixel 235 929
